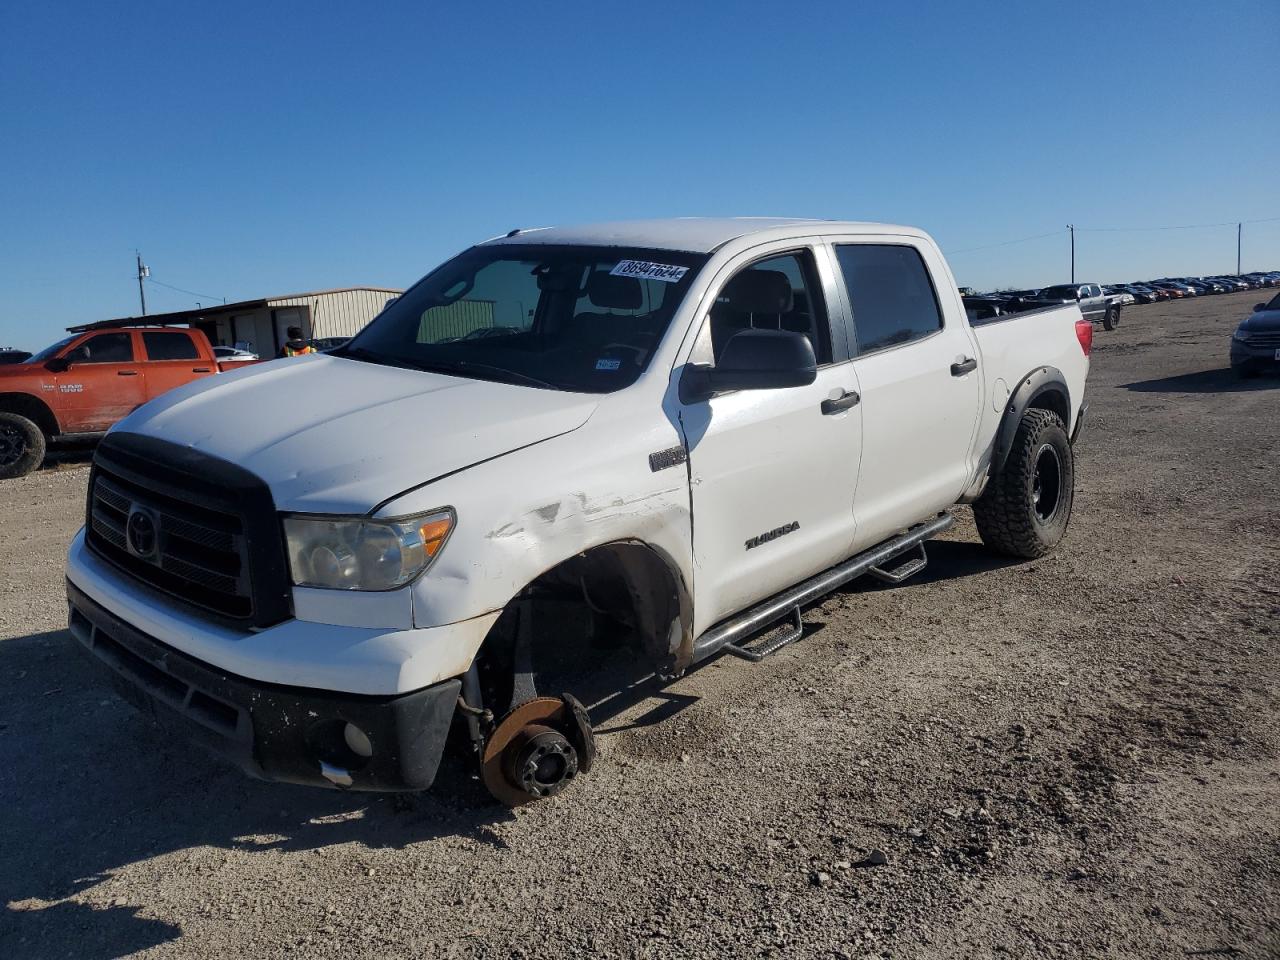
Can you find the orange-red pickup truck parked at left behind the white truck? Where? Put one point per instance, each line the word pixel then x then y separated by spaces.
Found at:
pixel 81 386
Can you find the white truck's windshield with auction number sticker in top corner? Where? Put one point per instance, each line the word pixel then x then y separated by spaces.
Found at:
pixel 582 319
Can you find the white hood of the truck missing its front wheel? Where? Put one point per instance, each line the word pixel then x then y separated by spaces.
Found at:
pixel 337 436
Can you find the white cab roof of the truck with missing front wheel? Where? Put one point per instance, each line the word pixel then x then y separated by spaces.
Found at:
pixel 698 235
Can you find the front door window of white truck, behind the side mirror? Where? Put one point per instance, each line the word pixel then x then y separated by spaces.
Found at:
pixel 780 294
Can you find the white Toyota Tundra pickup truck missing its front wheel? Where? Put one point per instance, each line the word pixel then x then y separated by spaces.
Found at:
pixel 679 433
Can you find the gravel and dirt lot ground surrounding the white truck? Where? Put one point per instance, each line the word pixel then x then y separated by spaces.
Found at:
pixel 1076 757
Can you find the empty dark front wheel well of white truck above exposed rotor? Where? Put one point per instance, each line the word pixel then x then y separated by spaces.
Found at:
pixel 611 601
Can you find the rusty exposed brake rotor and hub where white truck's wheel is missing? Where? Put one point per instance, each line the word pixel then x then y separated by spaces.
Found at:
pixel 537 751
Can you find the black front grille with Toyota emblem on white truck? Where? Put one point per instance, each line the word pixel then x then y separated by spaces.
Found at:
pixel 203 531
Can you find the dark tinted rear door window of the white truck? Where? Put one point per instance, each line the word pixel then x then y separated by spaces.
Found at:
pixel 890 294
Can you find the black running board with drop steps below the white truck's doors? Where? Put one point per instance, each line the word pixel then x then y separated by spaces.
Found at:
pixel 756 619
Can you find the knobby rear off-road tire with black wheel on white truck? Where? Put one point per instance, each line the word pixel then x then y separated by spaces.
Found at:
pixel 1011 515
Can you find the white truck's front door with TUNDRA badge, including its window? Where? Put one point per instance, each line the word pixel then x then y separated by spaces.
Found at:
pixel 772 476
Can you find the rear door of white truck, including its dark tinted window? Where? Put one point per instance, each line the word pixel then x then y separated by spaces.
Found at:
pixel 918 368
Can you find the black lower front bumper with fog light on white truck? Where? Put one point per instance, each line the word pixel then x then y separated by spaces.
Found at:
pixel 273 733
